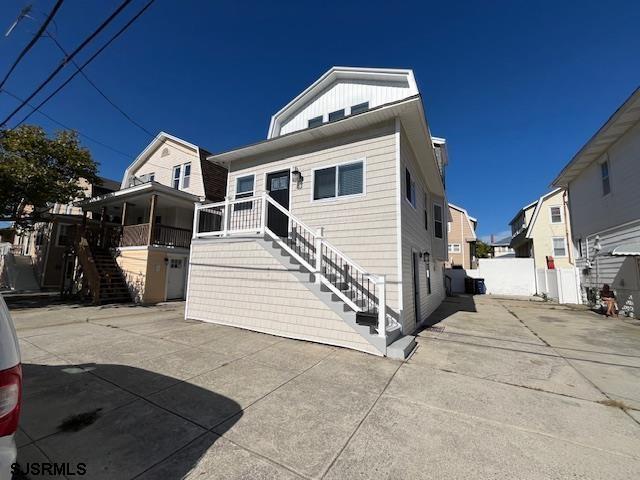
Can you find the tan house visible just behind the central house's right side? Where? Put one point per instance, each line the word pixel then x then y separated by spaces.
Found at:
pixel 462 238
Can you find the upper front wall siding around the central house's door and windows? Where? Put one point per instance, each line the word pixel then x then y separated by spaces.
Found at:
pixel 363 227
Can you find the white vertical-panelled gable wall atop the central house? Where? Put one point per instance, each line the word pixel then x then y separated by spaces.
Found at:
pixel 344 94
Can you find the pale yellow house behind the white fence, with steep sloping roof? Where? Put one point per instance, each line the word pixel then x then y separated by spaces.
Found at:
pixel 541 231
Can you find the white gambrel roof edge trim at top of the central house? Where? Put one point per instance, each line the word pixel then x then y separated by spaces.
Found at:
pixel 340 73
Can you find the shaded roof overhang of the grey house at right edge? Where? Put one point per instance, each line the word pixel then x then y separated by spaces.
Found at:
pixel 627 115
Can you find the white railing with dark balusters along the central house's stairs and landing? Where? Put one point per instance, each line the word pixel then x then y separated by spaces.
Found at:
pixel 362 291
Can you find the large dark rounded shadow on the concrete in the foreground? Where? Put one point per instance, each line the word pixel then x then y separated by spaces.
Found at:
pixel 89 414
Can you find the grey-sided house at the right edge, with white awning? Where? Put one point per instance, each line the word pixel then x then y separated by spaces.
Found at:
pixel 603 183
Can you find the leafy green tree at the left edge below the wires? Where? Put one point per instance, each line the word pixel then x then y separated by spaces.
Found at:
pixel 37 170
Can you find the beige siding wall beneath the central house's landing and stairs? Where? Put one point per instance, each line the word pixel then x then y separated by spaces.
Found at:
pixel 237 282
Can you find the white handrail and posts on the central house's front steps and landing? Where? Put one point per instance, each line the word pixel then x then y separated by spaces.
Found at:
pixel 312 259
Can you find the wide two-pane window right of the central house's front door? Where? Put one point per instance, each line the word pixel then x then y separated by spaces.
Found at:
pixel 338 181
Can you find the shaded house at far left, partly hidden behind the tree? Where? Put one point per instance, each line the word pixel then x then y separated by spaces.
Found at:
pixel 48 243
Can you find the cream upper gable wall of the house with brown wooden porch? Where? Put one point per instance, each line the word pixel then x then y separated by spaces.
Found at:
pixel 162 166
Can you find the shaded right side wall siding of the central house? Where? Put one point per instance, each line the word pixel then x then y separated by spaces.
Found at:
pixel 415 238
